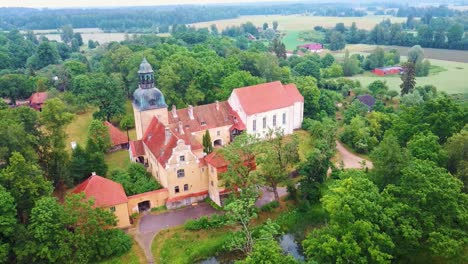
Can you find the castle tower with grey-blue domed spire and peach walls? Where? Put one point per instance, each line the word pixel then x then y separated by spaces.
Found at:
pixel 148 101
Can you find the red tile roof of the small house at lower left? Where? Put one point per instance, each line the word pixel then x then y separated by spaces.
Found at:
pixel 104 191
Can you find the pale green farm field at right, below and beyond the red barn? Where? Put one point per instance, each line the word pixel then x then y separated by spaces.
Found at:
pixel 452 79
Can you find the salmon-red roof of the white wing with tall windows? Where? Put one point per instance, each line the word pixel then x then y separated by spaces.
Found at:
pixel 268 96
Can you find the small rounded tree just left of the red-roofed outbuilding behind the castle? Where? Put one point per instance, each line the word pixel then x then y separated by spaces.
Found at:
pixel 98 137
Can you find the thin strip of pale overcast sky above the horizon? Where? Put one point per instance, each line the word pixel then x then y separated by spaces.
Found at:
pixel 104 3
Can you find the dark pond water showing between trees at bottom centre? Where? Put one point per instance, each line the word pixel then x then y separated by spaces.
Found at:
pixel 287 242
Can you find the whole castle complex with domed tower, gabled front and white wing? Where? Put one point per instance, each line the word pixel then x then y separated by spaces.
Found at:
pixel 169 141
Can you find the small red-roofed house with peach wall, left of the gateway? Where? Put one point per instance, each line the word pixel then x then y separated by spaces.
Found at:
pixel 106 194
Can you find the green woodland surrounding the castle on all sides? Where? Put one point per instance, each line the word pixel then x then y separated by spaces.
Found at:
pixel 410 207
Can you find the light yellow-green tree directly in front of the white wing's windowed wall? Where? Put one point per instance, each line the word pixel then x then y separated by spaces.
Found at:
pixel 276 160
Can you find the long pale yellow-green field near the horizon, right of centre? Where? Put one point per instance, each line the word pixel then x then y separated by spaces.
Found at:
pixel 298 22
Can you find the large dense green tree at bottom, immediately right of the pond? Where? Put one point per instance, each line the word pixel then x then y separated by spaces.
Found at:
pixel 356 220
